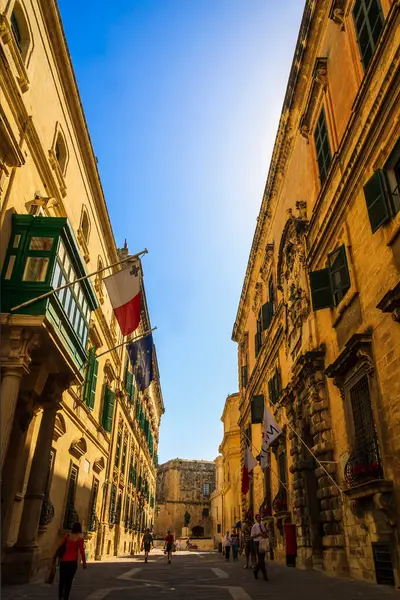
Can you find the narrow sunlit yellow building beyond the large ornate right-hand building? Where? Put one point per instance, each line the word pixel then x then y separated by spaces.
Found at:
pixel 230 452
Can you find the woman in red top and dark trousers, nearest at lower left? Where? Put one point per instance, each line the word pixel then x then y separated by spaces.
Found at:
pixel 67 553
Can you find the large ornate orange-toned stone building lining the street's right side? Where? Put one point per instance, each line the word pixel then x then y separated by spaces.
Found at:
pixel 318 325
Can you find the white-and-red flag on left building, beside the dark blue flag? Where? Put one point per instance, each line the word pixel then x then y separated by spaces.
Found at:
pixel 125 295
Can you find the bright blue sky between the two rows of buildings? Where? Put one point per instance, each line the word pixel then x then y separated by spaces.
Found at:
pixel 183 99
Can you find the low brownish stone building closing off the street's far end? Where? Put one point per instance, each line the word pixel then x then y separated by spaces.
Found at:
pixel 183 495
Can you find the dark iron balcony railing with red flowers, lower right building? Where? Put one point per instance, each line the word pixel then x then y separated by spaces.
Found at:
pixel 364 464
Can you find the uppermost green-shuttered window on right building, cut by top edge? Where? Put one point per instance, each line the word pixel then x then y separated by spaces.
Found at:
pixel 368 22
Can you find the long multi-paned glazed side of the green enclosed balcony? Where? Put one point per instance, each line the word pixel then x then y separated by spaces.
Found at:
pixel 72 298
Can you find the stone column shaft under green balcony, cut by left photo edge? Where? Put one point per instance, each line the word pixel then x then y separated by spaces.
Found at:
pixel 10 385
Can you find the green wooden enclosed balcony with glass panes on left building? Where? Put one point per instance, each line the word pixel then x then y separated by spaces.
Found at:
pixel 43 255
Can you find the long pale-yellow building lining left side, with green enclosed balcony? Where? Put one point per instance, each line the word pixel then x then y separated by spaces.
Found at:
pixel 77 440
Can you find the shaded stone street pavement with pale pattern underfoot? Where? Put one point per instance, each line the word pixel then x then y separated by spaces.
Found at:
pixel 199 576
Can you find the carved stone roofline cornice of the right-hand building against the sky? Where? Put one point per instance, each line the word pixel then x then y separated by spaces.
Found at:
pixel 283 142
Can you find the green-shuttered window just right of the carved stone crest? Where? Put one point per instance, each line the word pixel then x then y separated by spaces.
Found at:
pixel 330 285
